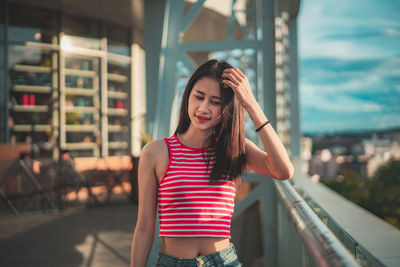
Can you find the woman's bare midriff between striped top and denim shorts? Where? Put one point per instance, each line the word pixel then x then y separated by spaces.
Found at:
pixel 192 247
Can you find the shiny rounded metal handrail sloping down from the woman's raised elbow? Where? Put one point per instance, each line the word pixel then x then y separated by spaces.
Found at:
pixel 322 246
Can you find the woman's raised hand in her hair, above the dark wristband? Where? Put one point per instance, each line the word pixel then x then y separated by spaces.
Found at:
pixel 239 83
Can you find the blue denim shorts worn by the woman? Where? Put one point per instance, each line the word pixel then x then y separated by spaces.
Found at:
pixel 226 257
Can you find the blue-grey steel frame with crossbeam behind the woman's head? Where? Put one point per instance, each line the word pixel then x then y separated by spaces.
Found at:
pixel 173 50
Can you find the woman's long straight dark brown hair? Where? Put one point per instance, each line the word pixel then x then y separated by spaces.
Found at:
pixel 228 139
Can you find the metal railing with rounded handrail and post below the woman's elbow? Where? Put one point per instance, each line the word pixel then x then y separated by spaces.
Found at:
pixel 302 239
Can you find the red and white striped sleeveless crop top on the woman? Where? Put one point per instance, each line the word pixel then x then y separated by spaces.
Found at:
pixel 188 204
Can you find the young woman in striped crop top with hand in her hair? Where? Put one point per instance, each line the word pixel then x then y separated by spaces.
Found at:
pixel 191 176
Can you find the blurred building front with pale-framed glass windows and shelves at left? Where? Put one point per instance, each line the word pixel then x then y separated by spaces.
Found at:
pixel 72 76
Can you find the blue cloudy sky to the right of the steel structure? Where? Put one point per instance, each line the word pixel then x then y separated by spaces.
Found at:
pixel 349 59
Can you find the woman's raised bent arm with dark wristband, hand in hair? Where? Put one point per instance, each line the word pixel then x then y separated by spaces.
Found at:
pixel 274 162
